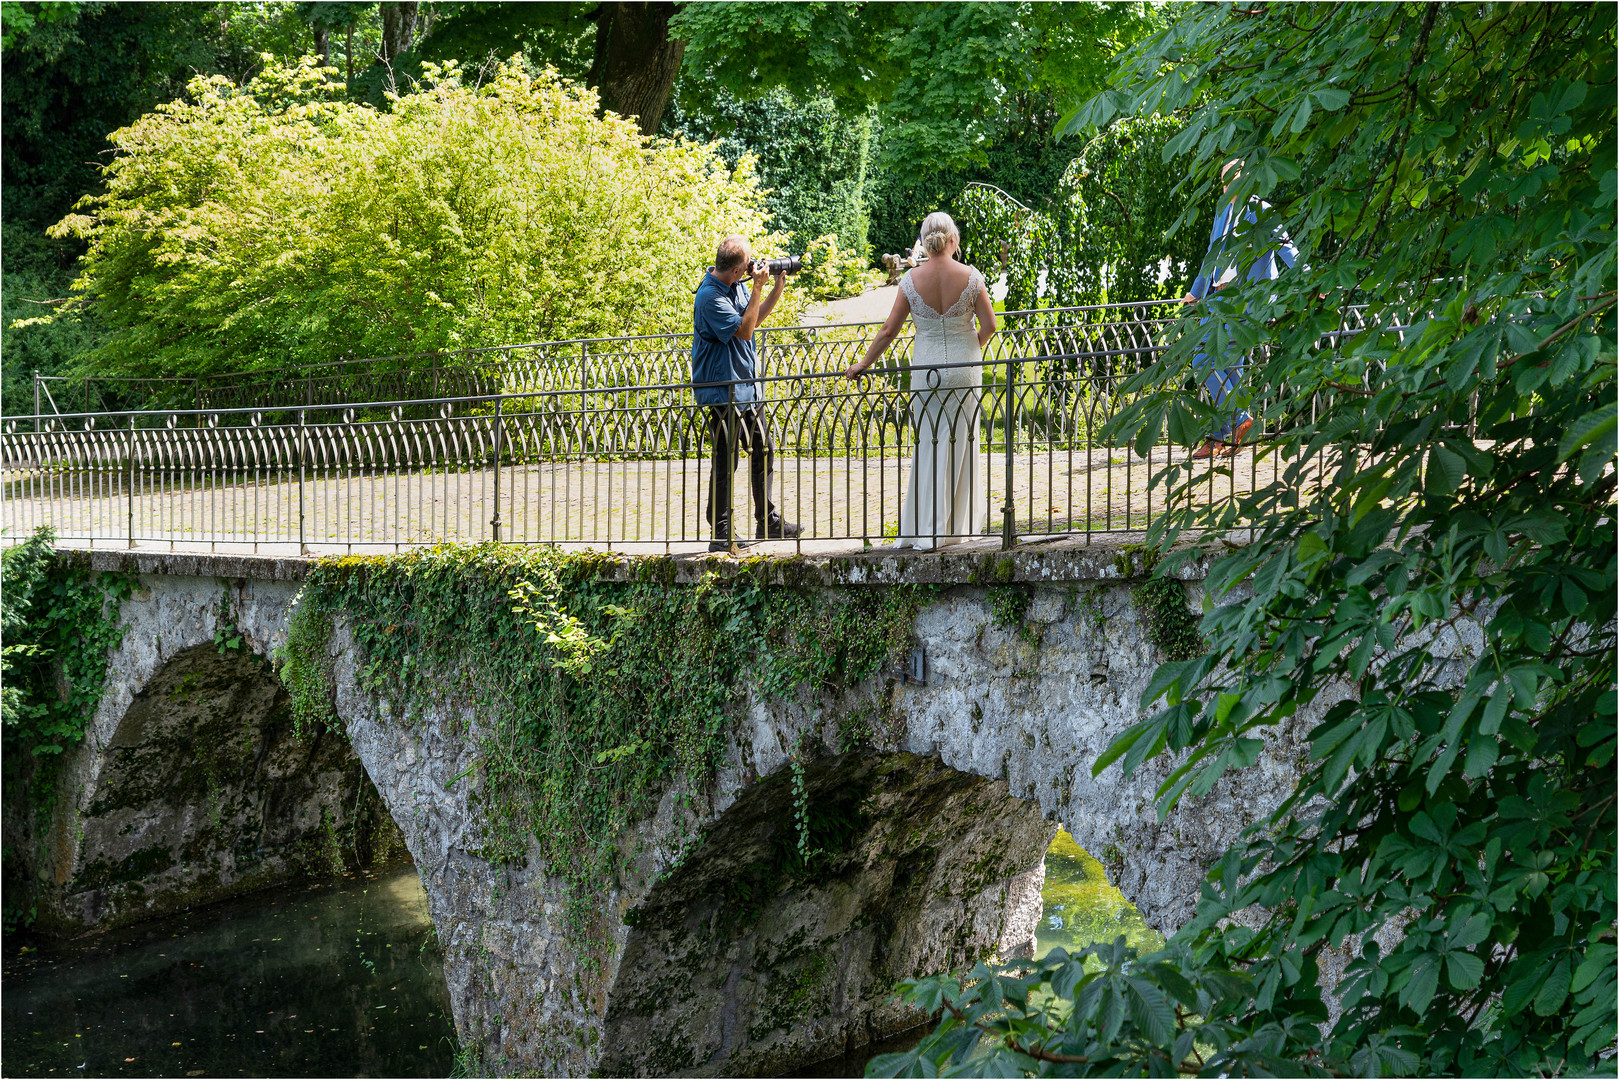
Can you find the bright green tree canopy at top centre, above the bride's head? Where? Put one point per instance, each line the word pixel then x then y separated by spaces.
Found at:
pixel 959 91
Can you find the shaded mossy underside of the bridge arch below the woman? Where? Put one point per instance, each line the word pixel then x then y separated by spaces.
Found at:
pixel 781 935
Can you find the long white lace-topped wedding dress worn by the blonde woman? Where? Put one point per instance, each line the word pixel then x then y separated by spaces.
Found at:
pixel 946 501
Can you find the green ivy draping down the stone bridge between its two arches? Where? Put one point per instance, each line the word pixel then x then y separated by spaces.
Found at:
pixel 590 699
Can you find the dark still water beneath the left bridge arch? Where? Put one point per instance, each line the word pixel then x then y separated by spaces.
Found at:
pixel 305 982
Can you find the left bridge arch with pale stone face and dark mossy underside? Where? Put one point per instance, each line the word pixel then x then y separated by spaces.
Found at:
pixel 190 784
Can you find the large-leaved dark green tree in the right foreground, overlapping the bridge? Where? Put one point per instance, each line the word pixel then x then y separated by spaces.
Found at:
pixel 1451 169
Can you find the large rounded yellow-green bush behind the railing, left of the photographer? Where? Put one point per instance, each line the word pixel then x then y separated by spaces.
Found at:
pixel 276 224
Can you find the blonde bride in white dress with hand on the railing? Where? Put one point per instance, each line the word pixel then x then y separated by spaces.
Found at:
pixel 946 501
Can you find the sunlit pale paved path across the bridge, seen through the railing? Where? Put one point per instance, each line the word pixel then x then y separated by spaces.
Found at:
pixel 637 504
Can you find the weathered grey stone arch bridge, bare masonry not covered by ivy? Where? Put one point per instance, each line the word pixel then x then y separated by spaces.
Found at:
pixel 190 788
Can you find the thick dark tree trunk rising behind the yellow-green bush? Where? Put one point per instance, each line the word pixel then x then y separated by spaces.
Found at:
pixel 635 62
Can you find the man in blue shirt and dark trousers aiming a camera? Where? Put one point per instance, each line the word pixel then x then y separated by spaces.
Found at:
pixel 725 376
